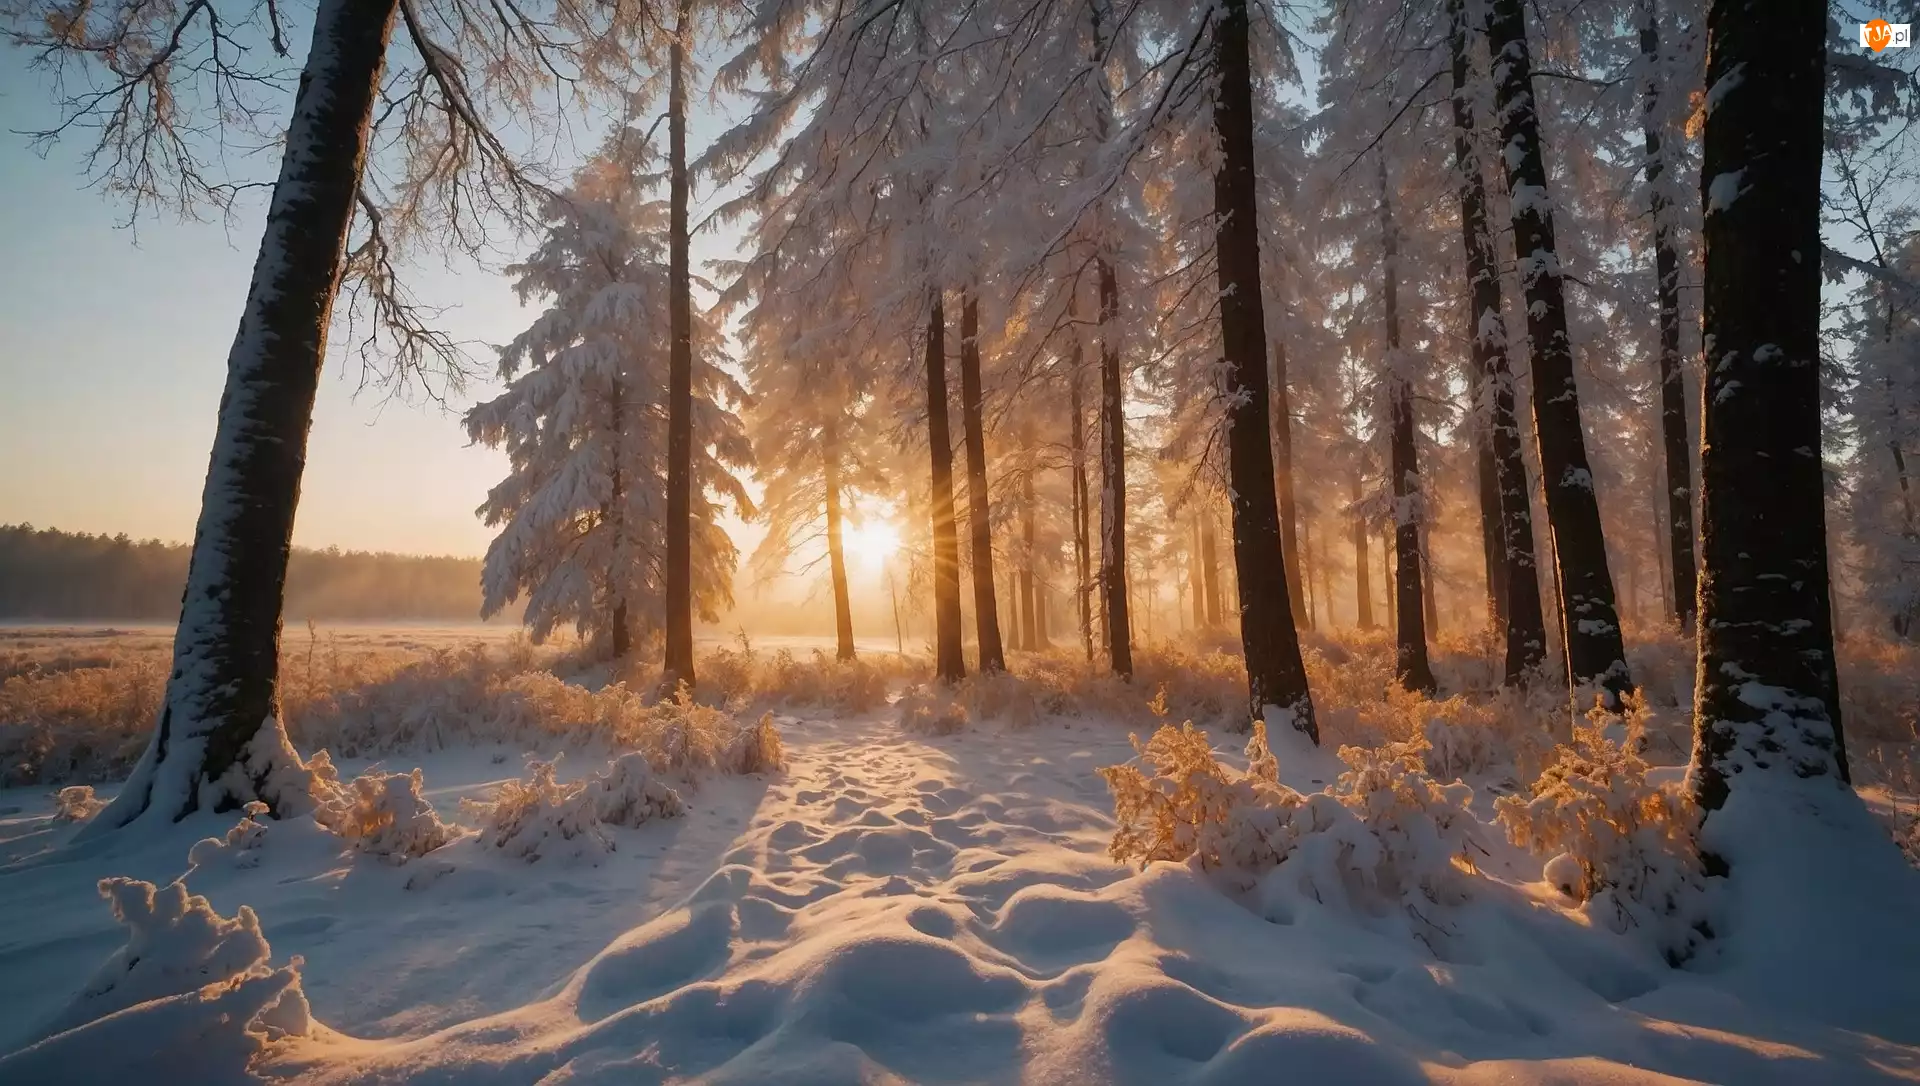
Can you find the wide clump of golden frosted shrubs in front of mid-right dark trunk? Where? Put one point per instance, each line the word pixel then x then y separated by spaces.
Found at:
pixel 1381 834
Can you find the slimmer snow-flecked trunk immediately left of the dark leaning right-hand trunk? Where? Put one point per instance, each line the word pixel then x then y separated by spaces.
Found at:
pixel 1524 626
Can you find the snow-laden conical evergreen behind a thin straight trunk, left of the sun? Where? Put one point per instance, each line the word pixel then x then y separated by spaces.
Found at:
pixel 583 513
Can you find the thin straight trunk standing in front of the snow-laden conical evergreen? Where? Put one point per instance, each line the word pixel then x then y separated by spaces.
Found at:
pixel 679 377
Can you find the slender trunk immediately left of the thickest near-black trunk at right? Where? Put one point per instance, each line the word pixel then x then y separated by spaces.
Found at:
pixel 1673 373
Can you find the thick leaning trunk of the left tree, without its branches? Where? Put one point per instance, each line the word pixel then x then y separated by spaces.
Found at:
pixel 220 740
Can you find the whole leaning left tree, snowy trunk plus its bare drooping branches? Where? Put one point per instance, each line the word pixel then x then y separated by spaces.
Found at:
pixel 166 87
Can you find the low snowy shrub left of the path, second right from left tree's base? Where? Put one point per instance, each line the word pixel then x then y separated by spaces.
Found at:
pixel 540 818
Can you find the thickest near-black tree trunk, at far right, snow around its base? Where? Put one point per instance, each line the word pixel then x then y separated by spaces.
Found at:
pixel 1765 623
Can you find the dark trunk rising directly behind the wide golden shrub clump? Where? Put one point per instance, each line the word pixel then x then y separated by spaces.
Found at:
pixel 1276 676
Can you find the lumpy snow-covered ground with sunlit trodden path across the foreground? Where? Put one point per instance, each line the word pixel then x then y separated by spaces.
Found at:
pixel 911 909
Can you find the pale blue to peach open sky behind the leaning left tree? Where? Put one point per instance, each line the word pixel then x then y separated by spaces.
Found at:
pixel 114 354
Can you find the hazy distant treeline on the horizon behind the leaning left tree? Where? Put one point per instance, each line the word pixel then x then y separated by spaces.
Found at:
pixel 62 577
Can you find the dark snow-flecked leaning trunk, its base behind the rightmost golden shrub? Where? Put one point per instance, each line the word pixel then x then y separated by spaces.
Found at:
pixel 1591 626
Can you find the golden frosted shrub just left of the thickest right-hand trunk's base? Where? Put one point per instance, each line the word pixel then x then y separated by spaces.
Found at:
pixel 1635 843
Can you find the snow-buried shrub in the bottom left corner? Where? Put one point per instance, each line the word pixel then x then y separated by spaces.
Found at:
pixel 180 949
